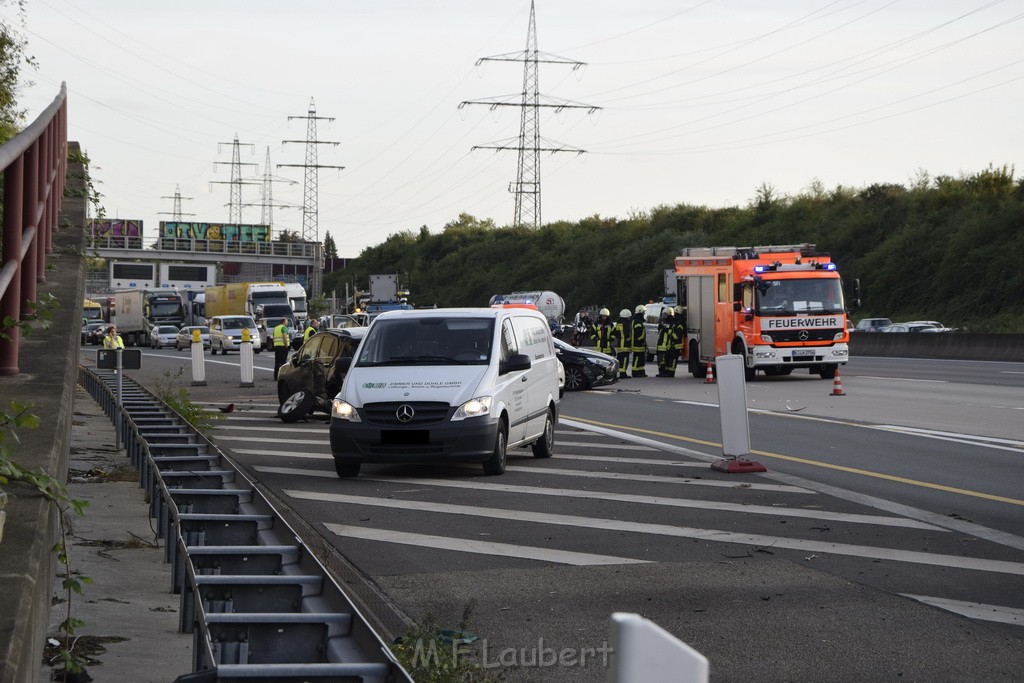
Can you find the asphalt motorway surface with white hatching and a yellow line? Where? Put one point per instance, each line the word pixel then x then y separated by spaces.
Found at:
pixel 878 507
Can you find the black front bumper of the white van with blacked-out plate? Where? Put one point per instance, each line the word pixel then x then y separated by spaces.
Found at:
pixel 470 441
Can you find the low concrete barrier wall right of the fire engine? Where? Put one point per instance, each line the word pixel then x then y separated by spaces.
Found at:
pixel 962 347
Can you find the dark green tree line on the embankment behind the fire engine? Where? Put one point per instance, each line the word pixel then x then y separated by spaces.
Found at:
pixel 940 248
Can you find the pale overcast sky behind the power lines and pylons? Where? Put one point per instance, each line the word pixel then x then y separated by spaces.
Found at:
pixel 696 102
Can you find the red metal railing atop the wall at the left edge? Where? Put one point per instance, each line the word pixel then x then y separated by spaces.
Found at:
pixel 34 164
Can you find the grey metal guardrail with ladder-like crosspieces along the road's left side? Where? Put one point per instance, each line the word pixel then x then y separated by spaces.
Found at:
pixel 260 605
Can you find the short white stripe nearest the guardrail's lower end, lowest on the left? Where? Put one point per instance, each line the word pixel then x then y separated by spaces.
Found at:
pixel 478 547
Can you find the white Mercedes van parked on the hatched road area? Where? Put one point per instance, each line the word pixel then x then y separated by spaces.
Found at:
pixel 448 386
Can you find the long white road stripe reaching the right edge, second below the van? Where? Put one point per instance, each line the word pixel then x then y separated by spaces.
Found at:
pixel 718 536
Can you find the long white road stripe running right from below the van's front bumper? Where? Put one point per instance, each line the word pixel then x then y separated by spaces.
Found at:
pixel 665 502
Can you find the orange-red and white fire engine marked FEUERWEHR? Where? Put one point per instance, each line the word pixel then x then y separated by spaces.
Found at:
pixel 780 307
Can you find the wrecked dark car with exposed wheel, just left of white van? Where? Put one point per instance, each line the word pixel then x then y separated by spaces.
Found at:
pixel 314 375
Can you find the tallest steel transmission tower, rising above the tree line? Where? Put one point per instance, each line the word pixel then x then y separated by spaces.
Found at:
pixel 530 146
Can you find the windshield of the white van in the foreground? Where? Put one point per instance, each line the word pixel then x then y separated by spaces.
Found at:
pixel 429 341
